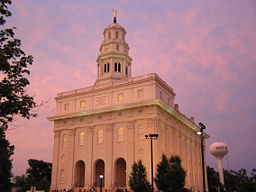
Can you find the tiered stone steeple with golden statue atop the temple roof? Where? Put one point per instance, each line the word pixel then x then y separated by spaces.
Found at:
pixel 113 62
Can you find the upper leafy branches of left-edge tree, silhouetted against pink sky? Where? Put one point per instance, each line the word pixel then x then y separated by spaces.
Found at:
pixel 13 69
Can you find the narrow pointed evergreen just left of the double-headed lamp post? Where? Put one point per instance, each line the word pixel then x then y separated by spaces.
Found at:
pixel 137 179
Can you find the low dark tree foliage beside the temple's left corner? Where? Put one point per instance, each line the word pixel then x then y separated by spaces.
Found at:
pixel 38 174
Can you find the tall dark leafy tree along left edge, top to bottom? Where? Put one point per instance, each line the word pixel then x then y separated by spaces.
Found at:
pixel 13 97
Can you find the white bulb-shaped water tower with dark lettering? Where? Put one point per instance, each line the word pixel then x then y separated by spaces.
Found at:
pixel 219 150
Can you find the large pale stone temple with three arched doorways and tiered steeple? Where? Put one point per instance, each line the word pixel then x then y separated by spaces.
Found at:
pixel 100 130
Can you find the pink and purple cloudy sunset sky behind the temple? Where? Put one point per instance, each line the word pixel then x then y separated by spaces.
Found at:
pixel 204 49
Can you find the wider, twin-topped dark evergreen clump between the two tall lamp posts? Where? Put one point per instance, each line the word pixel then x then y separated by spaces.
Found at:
pixel 170 176
